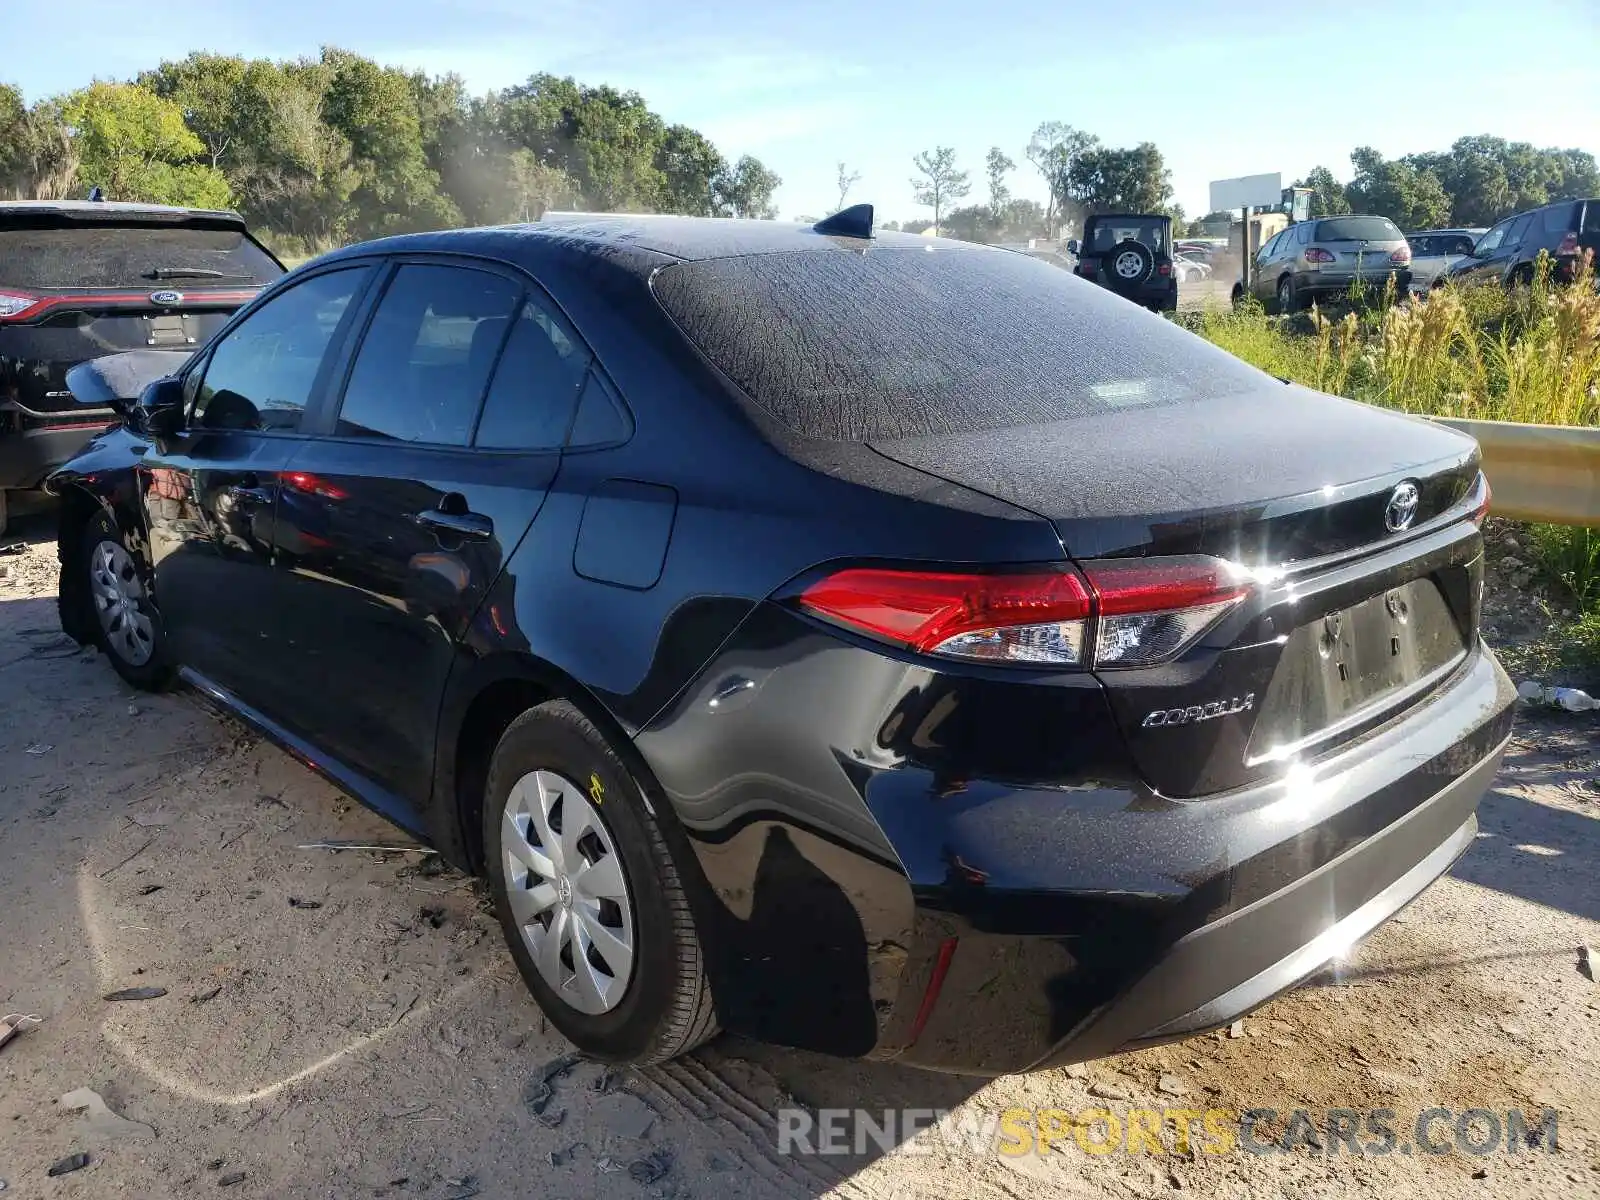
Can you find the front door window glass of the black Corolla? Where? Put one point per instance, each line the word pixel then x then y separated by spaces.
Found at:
pixel 263 370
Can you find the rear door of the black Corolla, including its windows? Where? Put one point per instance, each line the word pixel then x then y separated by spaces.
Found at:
pixel 428 468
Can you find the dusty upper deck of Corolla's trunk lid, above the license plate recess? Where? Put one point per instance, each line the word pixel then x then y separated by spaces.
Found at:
pixel 1266 478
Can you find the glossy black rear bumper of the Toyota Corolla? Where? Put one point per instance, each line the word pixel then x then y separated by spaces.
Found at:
pixel 857 830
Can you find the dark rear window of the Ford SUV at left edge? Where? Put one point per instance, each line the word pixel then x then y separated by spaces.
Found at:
pixel 132 255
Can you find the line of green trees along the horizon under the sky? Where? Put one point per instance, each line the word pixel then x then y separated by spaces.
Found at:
pixel 319 153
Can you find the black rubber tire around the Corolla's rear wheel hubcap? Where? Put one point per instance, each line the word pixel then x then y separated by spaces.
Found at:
pixel 666 1009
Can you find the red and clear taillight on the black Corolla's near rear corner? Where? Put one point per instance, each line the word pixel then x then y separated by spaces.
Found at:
pixel 1142 610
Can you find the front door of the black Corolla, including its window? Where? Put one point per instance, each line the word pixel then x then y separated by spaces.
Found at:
pixel 210 490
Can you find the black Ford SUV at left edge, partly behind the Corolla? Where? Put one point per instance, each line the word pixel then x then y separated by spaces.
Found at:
pixel 86 279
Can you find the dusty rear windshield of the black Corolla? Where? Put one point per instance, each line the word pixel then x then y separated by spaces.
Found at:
pixel 903 343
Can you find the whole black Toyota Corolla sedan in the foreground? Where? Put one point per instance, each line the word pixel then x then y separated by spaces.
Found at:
pixel 873 644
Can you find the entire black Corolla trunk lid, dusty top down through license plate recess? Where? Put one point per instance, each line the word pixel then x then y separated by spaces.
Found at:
pixel 1350 623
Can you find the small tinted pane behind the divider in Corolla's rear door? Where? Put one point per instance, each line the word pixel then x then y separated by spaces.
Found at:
pixel 530 402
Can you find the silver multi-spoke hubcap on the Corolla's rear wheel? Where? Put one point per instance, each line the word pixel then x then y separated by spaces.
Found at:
pixel 567 892
